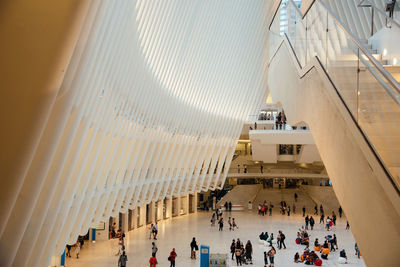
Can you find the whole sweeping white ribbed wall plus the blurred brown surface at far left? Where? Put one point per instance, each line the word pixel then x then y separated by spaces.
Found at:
pixel 133 102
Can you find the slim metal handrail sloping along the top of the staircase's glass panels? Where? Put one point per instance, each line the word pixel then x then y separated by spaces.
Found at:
pixel 364 50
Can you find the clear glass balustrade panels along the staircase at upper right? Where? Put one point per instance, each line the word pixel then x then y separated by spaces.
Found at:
pixel 370 93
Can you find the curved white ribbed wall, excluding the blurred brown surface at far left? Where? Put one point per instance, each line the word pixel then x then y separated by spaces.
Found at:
pixel 151 106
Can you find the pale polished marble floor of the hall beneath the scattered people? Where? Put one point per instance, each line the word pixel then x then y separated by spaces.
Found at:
pixel 178 232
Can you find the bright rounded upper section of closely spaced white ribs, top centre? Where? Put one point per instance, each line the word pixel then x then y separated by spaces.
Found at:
pixel 199 50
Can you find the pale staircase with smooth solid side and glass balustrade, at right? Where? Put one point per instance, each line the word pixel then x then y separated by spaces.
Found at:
pixel 324 75
